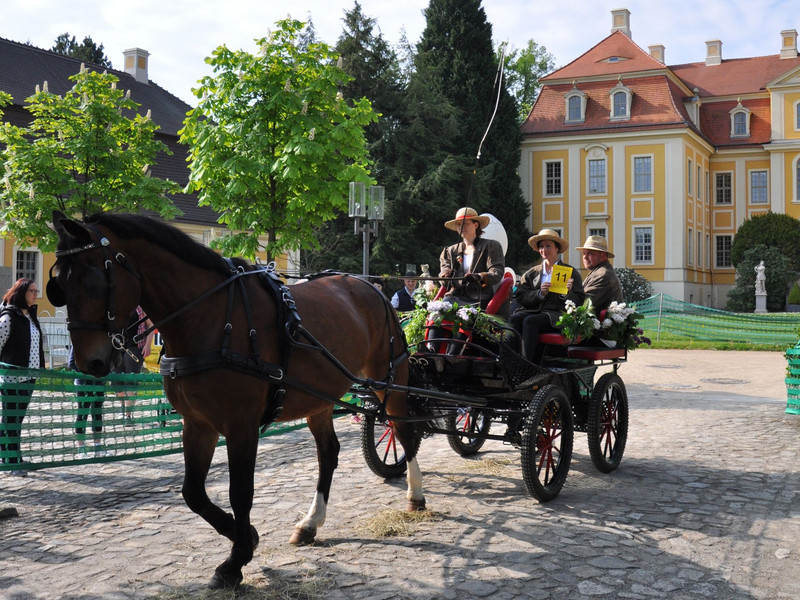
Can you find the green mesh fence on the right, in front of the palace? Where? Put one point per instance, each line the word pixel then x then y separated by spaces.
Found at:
pixel 662 313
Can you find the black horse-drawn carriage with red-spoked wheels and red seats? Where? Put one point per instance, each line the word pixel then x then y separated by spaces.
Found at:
pixel 482 389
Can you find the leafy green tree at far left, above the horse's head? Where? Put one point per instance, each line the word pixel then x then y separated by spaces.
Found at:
pixel 85 152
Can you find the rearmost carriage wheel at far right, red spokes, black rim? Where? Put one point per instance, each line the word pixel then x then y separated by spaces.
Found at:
pixel 607 430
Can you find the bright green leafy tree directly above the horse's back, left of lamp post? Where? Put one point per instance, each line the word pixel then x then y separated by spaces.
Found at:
pixel 273 144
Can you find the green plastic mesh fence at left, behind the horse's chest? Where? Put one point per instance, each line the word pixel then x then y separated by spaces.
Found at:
pixel 50 434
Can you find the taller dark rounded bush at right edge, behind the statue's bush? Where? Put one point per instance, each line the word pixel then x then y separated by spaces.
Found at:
pixel 773 230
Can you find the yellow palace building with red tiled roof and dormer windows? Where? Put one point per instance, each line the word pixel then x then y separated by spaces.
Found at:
pixel 664 161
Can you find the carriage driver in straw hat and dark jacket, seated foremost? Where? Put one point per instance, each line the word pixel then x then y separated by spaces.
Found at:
pixel 478 262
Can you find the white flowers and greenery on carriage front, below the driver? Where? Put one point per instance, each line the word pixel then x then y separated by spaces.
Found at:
pixel 434 312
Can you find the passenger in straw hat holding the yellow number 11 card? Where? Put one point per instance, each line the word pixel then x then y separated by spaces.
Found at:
pixel 539 308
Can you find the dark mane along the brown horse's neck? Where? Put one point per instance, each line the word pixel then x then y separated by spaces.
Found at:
pixel 170 238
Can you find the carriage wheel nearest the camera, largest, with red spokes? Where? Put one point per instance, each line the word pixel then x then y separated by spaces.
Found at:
pixel 547 443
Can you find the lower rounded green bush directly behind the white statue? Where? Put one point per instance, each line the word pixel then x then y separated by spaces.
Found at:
pixel 779 273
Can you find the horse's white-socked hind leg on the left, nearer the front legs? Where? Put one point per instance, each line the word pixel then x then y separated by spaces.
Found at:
pixel 321 427
